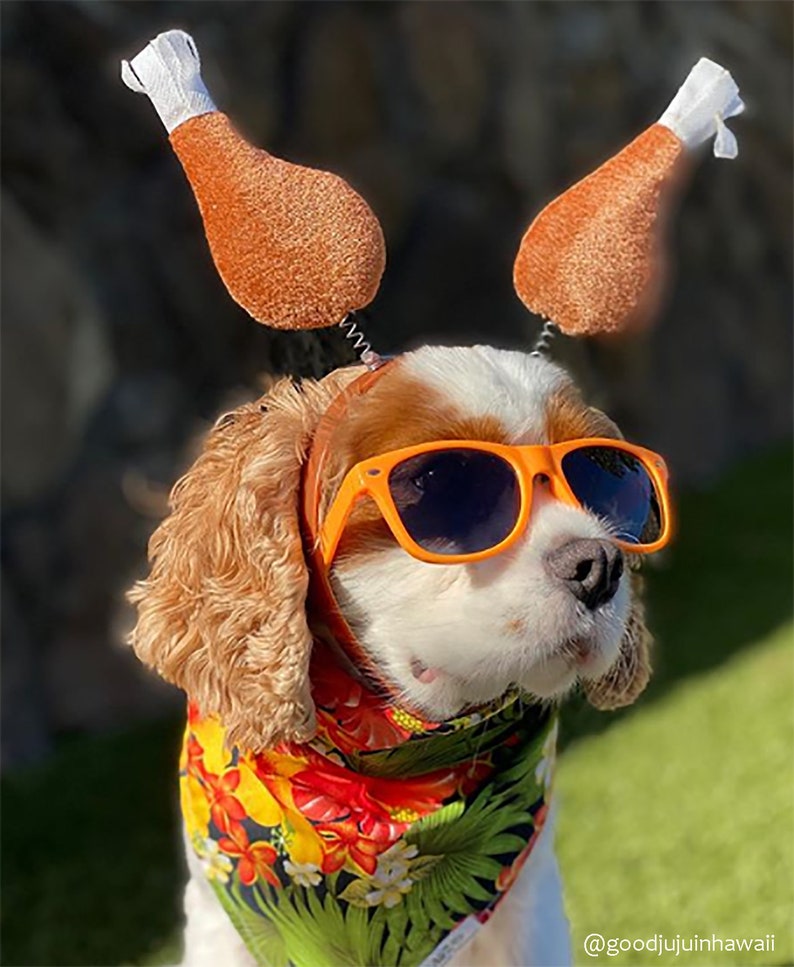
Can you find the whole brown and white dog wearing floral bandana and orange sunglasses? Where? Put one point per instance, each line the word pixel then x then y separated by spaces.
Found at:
pixel 282 634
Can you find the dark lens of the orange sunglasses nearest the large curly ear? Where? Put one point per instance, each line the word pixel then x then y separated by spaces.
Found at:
pixel 456 501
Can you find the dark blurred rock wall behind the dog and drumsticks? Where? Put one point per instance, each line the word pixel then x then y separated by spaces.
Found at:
pixel 458 122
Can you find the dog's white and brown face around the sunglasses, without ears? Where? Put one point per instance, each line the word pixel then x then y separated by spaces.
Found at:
pixel 452 635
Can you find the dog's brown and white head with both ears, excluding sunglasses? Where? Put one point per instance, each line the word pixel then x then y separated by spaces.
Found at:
pixel 223 612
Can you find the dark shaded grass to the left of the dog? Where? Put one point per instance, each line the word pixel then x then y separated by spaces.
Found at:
pixel 91 857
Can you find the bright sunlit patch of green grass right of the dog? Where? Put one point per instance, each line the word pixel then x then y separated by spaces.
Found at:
pixel 682 820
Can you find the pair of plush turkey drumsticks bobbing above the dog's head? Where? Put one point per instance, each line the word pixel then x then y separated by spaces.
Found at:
pixel 298 249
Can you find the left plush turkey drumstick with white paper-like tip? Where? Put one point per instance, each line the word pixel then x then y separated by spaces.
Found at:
pixel 296 247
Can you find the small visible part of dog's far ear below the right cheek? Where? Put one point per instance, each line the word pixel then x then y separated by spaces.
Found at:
pixel 626 680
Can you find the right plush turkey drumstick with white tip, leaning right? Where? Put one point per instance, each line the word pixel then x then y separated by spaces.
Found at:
pixel 593 259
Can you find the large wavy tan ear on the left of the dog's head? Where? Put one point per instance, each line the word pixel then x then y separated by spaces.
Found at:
pixel 222 613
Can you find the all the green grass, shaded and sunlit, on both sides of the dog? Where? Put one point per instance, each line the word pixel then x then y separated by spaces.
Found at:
pixel 677 815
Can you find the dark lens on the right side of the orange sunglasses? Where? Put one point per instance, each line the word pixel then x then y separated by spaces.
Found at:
pixel 616 486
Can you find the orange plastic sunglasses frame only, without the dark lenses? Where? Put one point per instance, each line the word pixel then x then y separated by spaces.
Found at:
pixel 370 478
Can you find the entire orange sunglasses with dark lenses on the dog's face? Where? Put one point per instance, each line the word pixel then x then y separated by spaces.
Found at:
pixel 459 501
